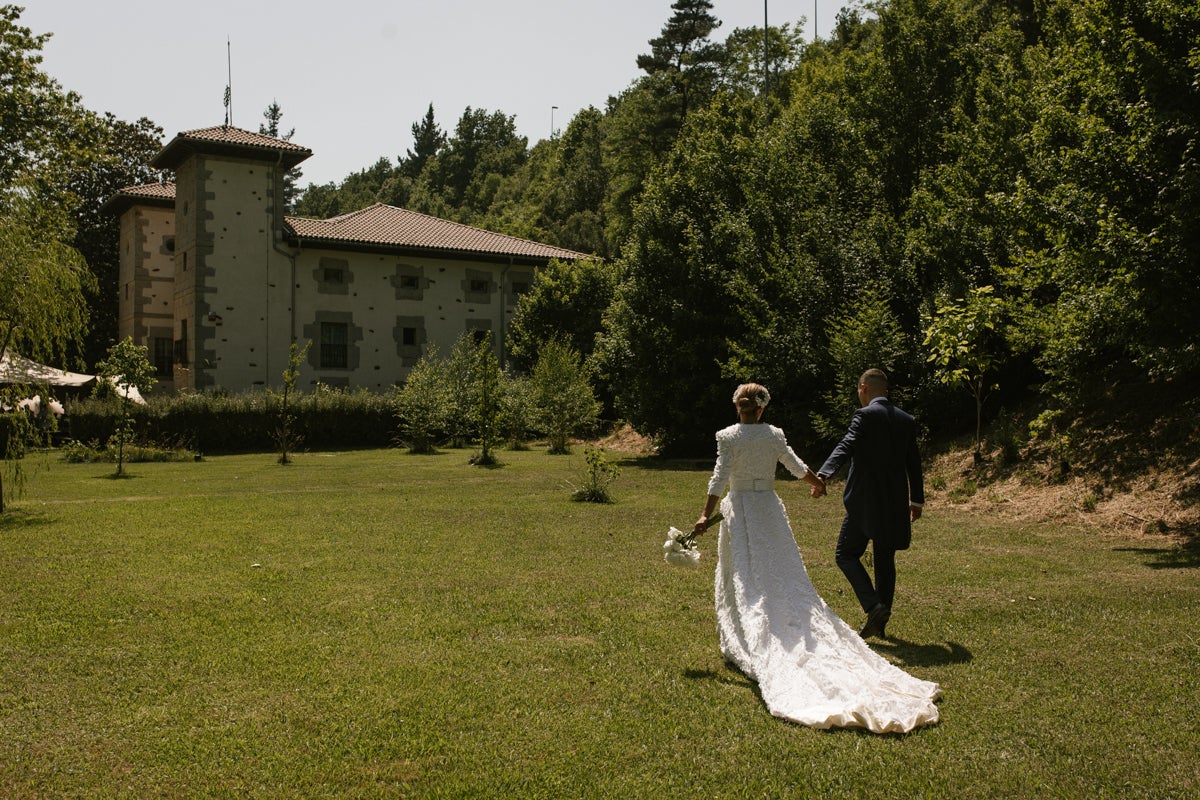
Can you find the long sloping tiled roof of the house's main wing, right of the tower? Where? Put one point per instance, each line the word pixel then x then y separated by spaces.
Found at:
pixel 386 226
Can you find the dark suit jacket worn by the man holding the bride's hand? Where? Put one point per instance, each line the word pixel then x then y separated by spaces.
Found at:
pixel 885 472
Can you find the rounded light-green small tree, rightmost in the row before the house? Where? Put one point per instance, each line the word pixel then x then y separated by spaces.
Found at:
pixel 565 402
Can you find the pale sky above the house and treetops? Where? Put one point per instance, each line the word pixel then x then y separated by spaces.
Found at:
pixel 353 76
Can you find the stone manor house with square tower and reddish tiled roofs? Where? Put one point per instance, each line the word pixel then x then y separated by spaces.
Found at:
pixel 218 282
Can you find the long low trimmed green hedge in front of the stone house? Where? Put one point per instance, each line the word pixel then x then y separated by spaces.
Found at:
pixel 247 423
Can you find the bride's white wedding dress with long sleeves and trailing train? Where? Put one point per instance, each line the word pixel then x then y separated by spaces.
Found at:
pixel 811 666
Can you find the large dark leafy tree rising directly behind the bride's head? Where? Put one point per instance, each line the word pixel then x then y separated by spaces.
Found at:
pixel 689 273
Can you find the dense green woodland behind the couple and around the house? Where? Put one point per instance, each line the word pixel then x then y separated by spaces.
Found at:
pixel 995 202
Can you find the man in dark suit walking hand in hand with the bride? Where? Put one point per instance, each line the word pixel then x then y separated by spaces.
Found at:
pixel 885 494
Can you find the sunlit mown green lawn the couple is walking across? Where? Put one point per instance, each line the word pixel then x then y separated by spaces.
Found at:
pixel 374 624
